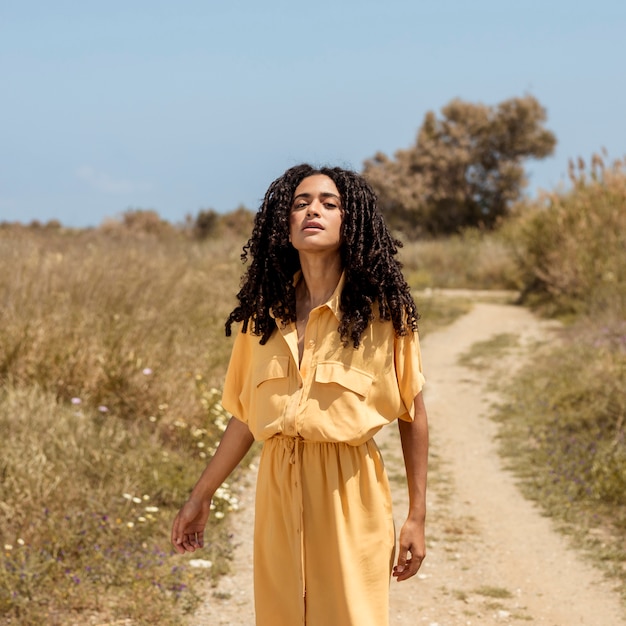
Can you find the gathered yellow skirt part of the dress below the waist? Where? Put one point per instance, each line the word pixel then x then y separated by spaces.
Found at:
pixel 324 535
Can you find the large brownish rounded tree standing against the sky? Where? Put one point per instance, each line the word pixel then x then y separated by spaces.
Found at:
pixel 465 168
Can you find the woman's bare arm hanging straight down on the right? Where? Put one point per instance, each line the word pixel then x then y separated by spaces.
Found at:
pixel 414 438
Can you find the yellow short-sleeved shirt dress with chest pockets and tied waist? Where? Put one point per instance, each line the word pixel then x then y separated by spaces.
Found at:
pixel 323 538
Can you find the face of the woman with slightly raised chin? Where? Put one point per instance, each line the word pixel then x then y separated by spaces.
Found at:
pixel 316 215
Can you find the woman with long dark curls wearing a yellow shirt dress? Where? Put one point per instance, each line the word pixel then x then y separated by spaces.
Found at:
pixel 327 354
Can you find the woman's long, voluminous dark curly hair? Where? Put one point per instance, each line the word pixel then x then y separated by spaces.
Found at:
pixel 368 255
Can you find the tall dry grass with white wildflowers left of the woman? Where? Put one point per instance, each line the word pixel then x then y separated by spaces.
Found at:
pixel 110 348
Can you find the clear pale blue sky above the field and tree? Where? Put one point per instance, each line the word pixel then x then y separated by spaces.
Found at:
pixel 197 104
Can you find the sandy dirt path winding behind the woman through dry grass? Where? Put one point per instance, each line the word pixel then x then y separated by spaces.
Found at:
pixel 492 558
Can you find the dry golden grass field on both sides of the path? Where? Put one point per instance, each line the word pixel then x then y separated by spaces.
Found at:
pixel 112 355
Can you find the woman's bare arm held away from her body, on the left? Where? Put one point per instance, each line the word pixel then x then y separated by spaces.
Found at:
pixel 189 524
